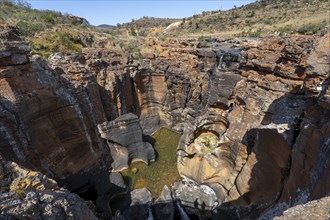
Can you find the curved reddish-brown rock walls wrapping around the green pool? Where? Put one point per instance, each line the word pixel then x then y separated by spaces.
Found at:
pixel 264 101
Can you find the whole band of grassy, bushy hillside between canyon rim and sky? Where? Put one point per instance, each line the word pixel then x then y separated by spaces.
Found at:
pixel 51 31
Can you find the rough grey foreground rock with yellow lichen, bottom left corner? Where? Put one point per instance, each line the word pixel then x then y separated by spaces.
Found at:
pixel 32 195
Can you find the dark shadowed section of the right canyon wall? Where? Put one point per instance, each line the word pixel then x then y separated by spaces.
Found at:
pixel 288 158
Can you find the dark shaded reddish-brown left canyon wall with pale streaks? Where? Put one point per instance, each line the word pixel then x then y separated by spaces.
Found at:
pixel 49 117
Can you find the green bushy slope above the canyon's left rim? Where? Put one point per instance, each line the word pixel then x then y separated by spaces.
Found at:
pixel 51 31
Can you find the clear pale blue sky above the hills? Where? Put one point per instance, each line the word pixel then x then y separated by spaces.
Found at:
pixel 116 11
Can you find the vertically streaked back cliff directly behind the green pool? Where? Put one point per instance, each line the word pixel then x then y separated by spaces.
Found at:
pixel 163 90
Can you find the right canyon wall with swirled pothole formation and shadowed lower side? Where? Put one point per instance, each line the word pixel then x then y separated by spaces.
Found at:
pixel 255 158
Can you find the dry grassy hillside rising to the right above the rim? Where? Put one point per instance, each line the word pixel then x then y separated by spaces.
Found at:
pixel 260 18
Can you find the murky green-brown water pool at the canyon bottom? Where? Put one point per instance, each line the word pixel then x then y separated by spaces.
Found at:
pixel 159 173
